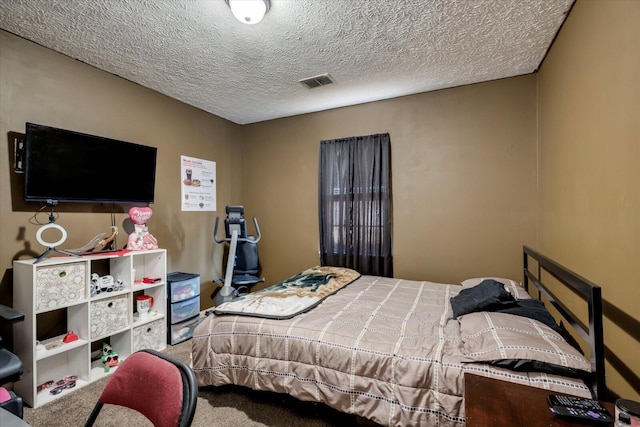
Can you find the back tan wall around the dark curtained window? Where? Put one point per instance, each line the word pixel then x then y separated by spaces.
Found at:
pixel 463 172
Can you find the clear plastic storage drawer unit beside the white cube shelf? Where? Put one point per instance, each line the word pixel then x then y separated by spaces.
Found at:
pixel 183 294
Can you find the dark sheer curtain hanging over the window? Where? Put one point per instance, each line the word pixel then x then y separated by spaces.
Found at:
pixel 355 204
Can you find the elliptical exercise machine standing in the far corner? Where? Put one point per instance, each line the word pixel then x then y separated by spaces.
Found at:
pixel 243 265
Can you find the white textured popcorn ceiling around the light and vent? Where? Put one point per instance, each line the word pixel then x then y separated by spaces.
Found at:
pixel 197 52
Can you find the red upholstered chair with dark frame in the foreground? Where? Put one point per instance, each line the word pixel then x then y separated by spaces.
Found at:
pixel 160 387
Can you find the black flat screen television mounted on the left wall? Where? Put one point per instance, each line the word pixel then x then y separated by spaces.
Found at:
pixel 65 166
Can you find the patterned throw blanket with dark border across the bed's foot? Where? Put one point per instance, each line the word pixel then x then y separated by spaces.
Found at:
pixel 293 296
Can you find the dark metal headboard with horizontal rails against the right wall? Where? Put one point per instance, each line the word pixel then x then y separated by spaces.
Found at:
pixel 592 334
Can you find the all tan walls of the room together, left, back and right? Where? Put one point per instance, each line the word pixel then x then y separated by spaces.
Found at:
pixel 465 172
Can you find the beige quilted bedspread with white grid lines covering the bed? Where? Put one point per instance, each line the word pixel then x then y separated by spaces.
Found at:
pixel 382 348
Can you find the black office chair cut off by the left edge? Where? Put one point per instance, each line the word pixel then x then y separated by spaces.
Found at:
pixel 11 366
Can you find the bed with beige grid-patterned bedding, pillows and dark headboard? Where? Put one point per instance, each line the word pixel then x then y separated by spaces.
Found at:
pixel 392 350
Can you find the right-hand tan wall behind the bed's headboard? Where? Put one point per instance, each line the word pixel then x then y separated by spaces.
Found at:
pixel 589 139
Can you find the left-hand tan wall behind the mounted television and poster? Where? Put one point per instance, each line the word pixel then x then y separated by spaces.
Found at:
pixel 41 86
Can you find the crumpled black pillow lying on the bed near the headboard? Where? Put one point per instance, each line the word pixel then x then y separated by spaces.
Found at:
pixel 487 296
